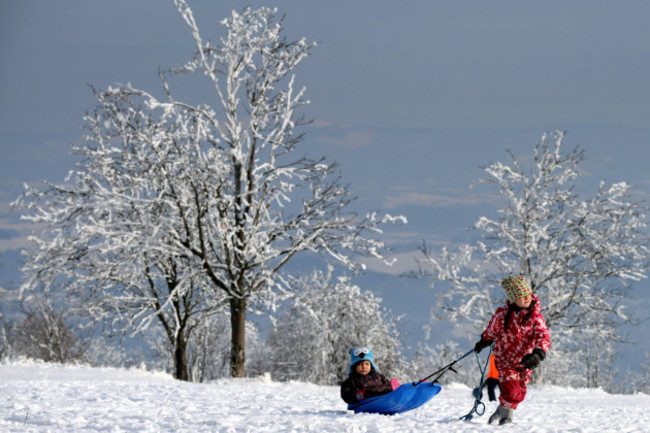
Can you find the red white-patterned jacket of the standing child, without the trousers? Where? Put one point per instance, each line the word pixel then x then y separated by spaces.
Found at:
pixel 526 331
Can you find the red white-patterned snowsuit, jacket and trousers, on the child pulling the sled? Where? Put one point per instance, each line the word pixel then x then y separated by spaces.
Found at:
pixel 526 331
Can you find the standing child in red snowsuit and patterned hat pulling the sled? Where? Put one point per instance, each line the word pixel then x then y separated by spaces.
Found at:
pixel 521 340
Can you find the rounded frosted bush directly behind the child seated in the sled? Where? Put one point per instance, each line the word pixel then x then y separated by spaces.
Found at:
pixel 325 319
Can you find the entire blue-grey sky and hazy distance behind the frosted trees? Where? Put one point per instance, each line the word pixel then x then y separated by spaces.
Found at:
pixel 409 97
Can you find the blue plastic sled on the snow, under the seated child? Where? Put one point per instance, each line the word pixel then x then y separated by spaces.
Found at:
pixel 406 397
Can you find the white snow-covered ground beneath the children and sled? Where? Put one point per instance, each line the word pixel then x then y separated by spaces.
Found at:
pixel 36 397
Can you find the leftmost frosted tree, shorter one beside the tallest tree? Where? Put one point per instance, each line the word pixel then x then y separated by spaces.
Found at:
pixel 105 243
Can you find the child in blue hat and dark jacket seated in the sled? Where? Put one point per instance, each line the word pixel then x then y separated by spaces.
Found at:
pixel 364 381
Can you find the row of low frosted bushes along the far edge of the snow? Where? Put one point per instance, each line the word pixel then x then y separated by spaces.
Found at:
pixel 308 342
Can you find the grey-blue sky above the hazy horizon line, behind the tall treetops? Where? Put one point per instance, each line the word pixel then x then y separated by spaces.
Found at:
pixel 421 63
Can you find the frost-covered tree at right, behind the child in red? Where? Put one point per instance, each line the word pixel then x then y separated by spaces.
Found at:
pixel 580 255
